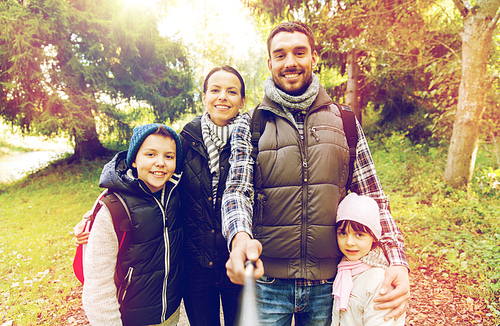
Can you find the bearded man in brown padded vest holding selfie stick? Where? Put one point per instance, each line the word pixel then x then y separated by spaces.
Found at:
pixel 300 178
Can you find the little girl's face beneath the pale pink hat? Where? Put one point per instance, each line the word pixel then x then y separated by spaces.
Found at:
pixel 354 244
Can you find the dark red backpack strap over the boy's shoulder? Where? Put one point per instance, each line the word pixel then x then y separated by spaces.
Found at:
pixel 123 226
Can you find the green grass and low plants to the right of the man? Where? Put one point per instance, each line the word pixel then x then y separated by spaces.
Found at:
pixel 451 230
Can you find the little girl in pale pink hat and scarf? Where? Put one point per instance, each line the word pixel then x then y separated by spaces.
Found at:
pixel 361 271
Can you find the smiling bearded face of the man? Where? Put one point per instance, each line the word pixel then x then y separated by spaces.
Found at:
pixel 291 62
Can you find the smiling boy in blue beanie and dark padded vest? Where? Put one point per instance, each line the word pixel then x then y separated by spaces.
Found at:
pixel 145 177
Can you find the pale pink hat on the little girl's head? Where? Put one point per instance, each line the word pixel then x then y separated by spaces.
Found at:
pixel 361 209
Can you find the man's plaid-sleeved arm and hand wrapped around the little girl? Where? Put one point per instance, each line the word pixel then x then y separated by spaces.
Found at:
pixel 366 182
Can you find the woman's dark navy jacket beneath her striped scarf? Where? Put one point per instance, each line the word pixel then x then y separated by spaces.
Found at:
pixel 204 244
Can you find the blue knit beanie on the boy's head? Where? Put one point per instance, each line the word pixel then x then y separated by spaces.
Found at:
pixel 142 132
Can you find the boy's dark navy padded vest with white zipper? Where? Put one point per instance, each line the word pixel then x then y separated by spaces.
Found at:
pixel 153 295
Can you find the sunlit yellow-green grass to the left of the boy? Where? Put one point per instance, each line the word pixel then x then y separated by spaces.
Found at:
pixel 36 252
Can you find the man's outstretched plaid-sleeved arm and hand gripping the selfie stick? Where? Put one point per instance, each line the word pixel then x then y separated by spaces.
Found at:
pixel 237 205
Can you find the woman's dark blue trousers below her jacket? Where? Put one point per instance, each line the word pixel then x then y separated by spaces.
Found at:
pixel 204 289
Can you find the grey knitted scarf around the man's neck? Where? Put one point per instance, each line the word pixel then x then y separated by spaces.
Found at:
pixel 292 103
